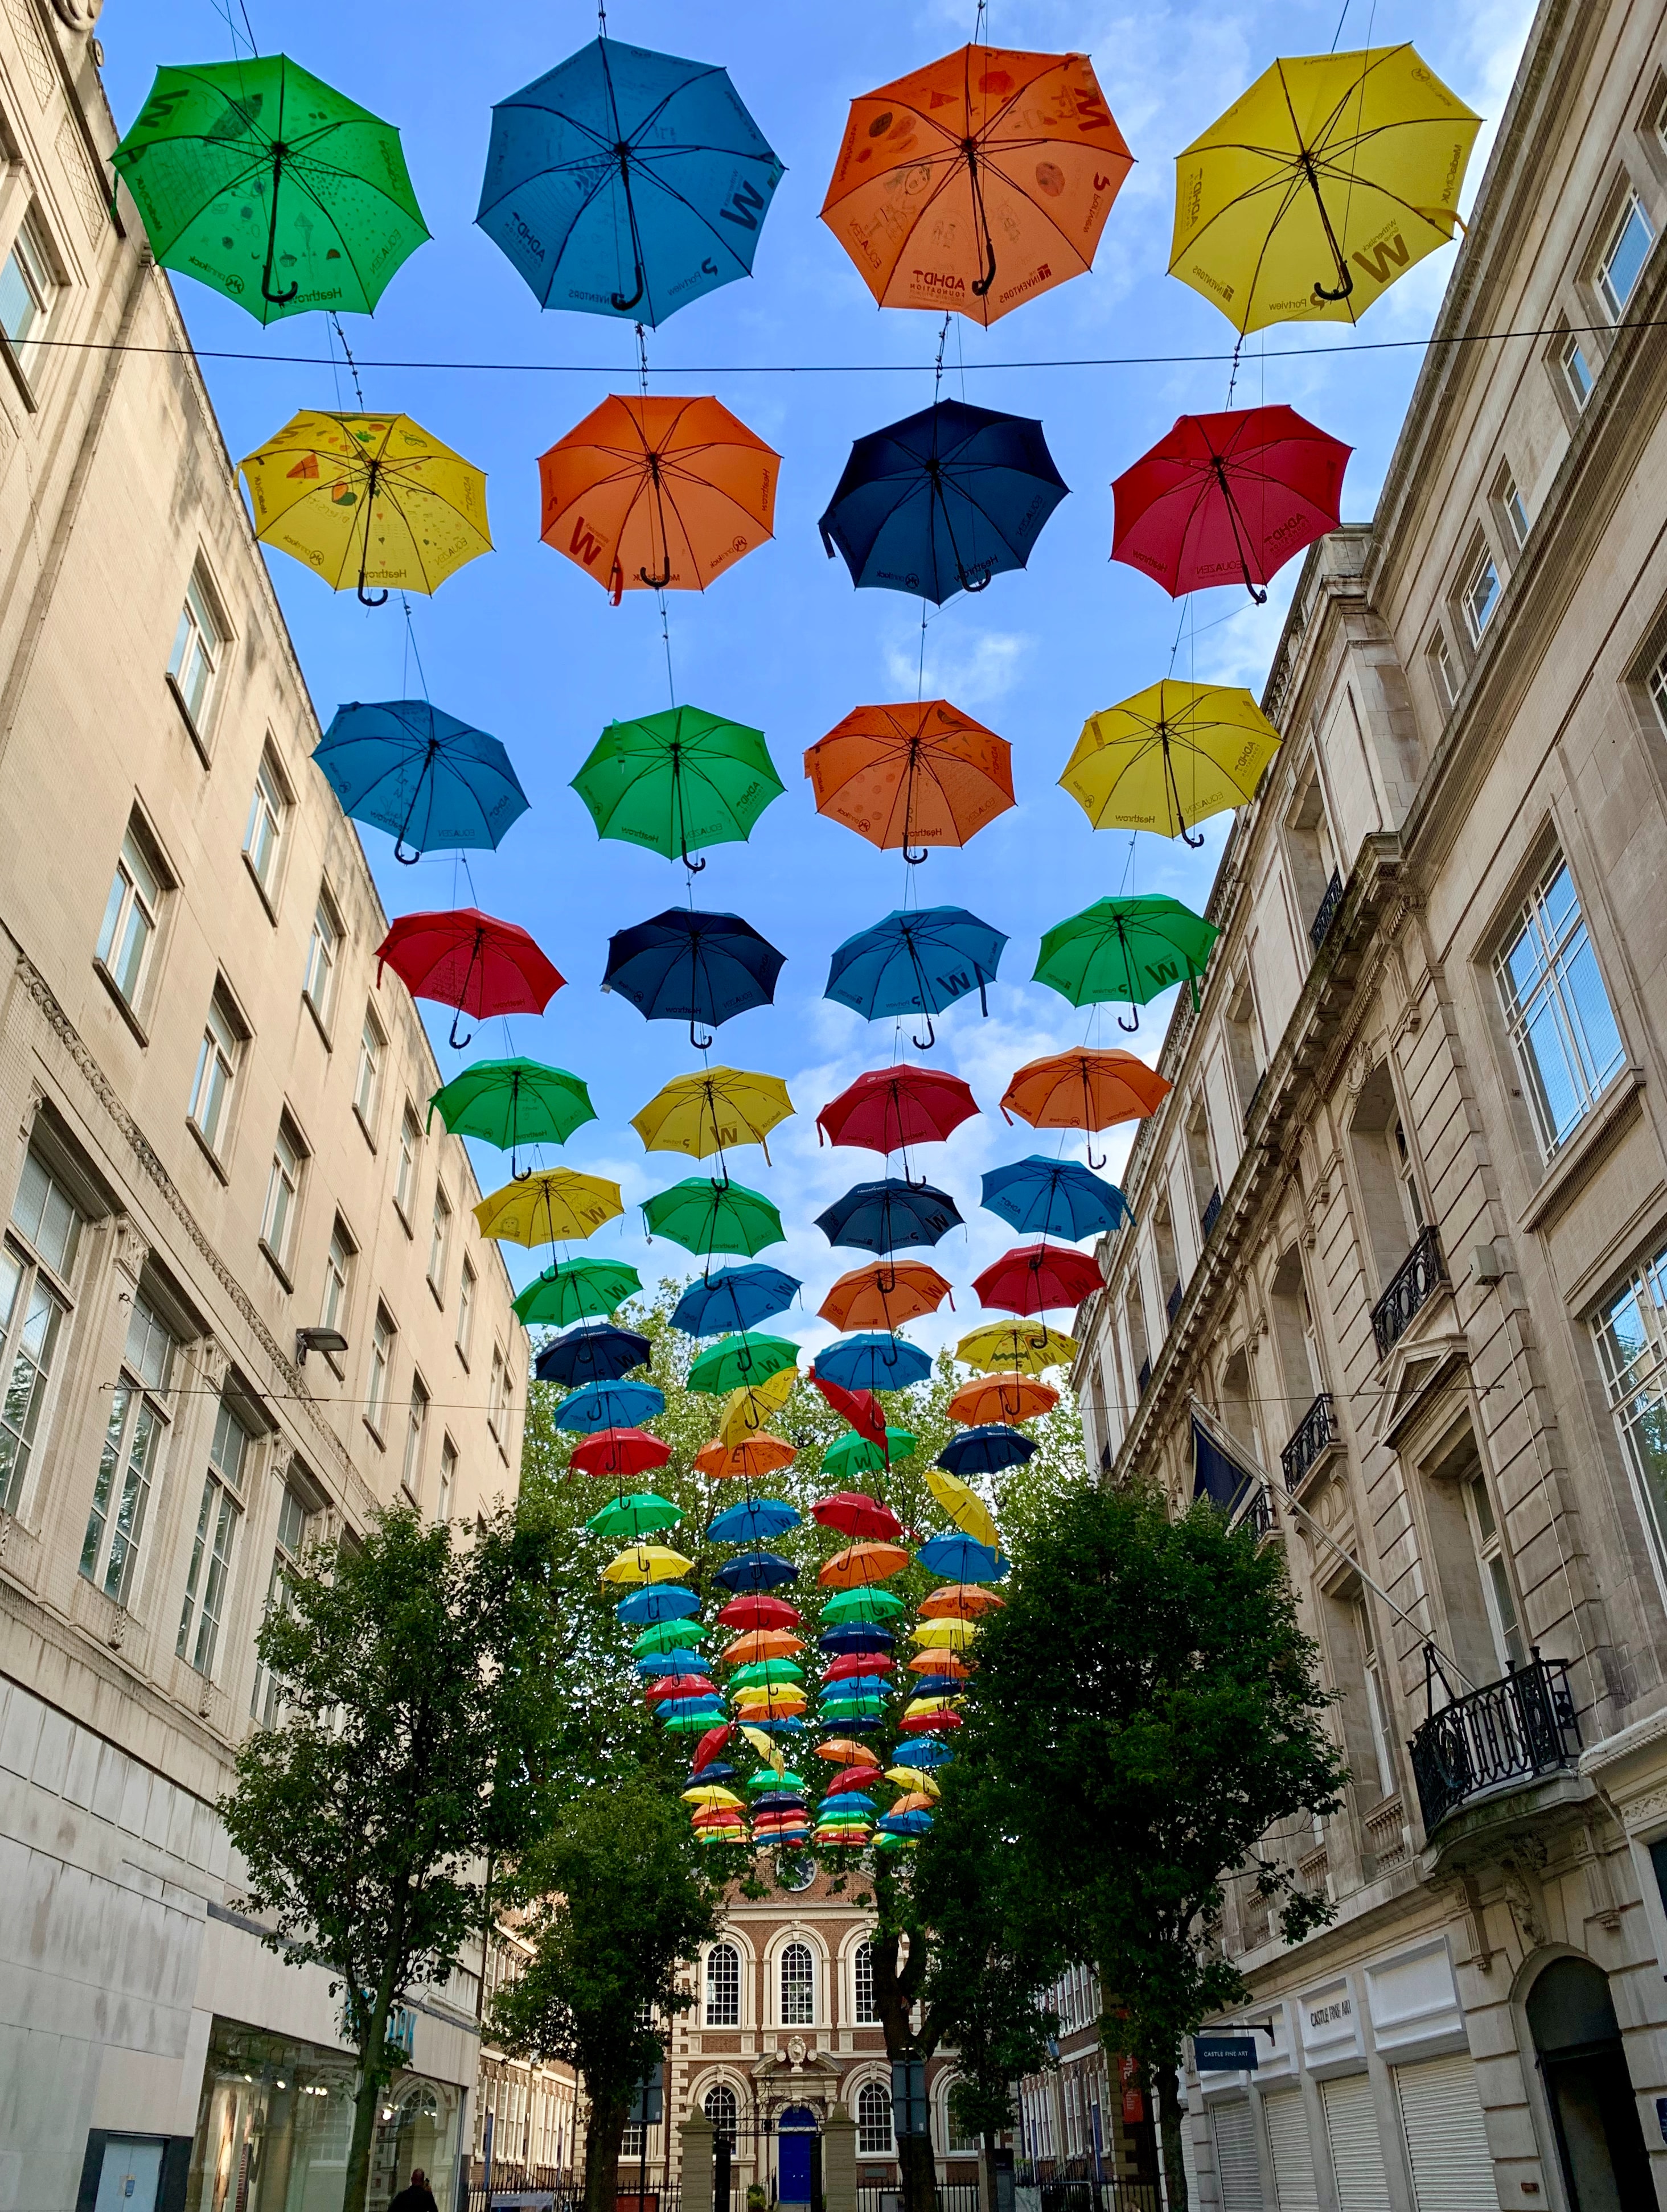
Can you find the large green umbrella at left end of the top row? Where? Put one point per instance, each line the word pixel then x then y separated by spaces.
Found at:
pixel 271 187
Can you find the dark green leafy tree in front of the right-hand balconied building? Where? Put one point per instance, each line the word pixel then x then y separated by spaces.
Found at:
pixel 1146 1713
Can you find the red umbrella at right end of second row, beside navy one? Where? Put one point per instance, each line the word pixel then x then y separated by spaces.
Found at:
pixel 1228 497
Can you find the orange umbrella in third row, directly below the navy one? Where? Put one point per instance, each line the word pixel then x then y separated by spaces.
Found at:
pixel 911 775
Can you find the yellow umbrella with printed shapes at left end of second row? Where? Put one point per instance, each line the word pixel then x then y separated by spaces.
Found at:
pixel 369 501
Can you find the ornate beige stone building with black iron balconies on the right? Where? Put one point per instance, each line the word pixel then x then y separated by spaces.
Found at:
pixel 1402 1224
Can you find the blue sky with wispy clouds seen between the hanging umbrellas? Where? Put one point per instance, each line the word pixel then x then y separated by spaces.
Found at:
pixel 530 649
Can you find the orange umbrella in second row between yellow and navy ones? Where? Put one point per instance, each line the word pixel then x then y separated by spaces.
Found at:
pixel 654 494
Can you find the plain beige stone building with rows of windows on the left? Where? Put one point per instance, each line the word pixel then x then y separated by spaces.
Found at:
pixel 211 1140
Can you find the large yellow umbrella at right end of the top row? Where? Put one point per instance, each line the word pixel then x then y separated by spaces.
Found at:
pixel 1321 187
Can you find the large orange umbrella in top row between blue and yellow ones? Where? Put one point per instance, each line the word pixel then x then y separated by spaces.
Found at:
pixel 977 182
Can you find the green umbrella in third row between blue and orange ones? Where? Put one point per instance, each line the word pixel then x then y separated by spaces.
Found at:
pixel 679 782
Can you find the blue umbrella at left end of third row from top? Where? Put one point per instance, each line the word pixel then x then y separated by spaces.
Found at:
pixel 424 775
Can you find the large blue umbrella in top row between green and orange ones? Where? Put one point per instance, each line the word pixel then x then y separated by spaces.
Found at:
pixel 628 182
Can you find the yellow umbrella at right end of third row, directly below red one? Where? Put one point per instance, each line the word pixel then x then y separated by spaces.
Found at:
pixel 1170 758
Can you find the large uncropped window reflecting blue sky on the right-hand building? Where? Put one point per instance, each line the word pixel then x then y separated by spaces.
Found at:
pixel 1557 1012
